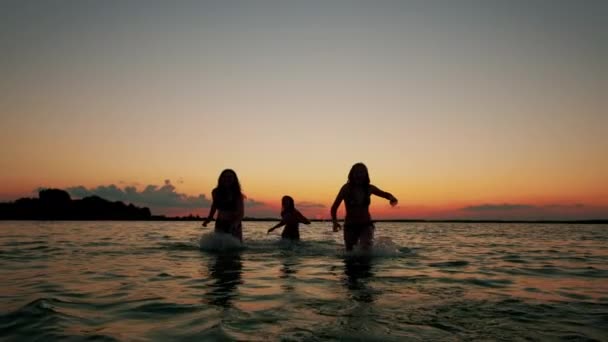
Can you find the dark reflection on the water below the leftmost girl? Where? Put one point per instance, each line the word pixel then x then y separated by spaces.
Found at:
pixel 226 271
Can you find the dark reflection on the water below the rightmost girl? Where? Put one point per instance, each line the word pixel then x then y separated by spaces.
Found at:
pixel 357 270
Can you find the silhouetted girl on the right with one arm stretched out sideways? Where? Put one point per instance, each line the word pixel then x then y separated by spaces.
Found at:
pixel 356 193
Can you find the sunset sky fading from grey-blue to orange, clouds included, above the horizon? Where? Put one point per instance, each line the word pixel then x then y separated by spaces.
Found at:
pixel 461 109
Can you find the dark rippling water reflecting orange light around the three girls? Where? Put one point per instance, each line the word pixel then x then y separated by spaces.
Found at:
pixel 422 281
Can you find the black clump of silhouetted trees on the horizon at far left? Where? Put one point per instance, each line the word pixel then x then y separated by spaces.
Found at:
pixel 56 204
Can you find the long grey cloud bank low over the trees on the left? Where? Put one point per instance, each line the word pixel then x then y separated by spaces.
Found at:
pixel 151 195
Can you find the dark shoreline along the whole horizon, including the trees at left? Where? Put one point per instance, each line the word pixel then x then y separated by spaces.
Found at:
pixel 56 204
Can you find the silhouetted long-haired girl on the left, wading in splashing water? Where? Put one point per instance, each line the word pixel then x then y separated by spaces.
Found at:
pixel 228 201
